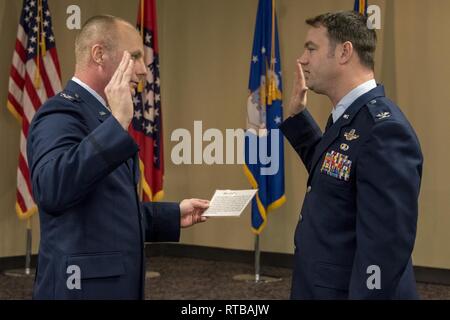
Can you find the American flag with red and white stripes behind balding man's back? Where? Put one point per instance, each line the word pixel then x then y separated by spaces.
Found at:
pixel 35 76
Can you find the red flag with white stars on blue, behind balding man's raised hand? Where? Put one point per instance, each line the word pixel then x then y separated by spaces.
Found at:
pixel 146 126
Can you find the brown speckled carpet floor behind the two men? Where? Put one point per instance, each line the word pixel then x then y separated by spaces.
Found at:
pixel 192 279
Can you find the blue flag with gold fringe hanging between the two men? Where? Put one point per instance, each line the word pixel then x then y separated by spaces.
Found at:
pixel 264 151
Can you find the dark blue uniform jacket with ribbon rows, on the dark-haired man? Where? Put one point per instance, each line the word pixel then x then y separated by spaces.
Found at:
pixel 358 222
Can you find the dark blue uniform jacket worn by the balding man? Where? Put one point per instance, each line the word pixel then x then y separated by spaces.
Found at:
pixel 84 173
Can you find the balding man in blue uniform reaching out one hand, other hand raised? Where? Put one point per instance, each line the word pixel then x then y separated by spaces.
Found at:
pixel 84 172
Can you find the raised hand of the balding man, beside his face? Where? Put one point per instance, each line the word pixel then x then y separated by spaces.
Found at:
pixel 118 91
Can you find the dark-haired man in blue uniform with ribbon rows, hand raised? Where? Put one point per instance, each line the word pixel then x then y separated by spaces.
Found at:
pixel 357 227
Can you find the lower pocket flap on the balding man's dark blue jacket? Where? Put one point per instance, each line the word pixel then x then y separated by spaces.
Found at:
pixel 99 265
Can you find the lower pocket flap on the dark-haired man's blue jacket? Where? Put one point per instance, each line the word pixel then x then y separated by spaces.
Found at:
pixel 332 276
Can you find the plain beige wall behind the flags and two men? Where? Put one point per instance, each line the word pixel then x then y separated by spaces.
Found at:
pixel 205 46
